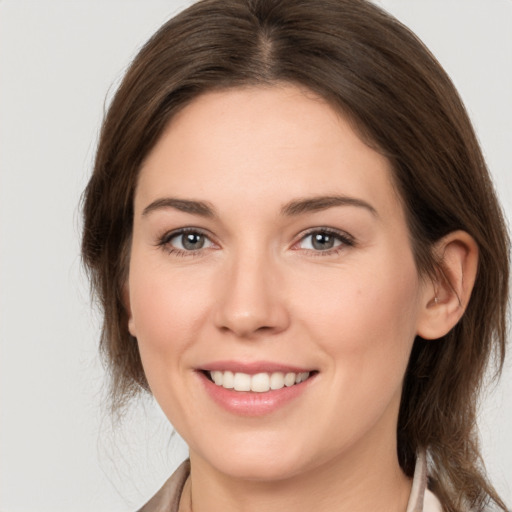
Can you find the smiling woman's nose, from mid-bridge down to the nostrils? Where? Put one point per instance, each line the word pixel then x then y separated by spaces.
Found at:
pixel 251 301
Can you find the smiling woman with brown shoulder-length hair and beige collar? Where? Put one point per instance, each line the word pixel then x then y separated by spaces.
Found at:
pixel 299 253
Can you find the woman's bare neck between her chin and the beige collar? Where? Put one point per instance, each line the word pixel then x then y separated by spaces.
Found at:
pixel 367 479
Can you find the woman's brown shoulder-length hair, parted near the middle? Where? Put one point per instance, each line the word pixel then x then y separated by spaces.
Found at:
pixel 378 73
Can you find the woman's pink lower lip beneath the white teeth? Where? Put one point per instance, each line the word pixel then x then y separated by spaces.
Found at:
pixel 248 403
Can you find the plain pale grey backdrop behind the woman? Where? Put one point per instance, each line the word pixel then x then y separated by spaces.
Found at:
pixel 60 61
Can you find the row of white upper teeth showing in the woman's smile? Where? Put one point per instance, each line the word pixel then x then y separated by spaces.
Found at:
pixel 258 383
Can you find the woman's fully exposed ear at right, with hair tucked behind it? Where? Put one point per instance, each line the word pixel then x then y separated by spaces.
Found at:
pixel 446 297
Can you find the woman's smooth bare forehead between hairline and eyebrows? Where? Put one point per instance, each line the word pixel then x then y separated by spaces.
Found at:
pixel 263 143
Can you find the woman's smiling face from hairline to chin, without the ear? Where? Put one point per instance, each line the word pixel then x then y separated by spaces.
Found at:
pixel 269 246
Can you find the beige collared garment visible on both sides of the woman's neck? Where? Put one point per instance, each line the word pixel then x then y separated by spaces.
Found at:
pixel 167 499
